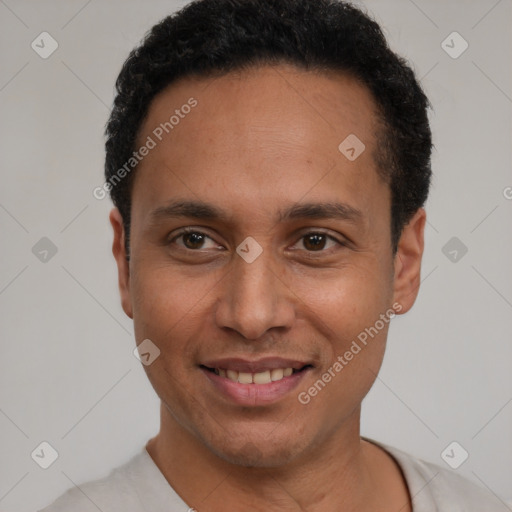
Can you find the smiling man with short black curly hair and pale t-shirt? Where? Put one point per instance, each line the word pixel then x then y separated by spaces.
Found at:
pixel 269 161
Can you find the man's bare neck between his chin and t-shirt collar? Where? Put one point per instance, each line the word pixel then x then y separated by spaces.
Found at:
pixel 340 474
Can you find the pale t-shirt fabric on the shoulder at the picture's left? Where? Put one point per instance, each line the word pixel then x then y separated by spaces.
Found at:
pixel 136 485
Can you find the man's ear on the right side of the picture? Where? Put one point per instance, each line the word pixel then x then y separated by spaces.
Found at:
pixel 408 262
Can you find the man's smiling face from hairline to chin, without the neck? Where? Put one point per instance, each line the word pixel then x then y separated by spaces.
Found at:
pixel 260 149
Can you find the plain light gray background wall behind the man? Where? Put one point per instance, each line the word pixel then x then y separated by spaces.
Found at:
pixel 67 372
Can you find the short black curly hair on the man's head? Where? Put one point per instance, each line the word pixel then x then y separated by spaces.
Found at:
pixel 213 37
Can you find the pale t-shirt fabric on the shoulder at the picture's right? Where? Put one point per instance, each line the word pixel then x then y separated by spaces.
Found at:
pixel 432 486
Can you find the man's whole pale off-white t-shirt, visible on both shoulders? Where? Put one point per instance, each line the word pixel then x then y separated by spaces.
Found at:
pixel 139 486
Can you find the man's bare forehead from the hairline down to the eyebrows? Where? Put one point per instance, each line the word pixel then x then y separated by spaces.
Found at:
pixel 265 132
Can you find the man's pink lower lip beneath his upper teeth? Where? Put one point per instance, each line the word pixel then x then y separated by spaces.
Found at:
pixel 255 394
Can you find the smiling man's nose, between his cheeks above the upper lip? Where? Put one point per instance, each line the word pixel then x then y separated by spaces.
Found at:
pixel 254 298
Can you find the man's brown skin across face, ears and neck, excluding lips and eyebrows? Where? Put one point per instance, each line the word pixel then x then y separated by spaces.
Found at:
pixel 258 142
